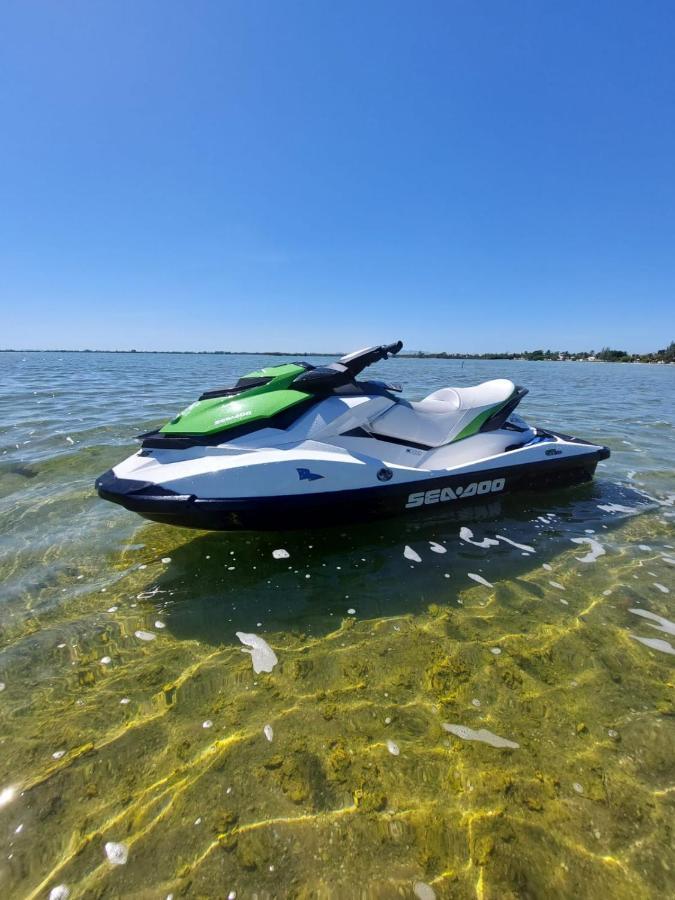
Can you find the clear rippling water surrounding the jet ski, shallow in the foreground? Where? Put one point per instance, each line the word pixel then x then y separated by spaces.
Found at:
pixel 102 735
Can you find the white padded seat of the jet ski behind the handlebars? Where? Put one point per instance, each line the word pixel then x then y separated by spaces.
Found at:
pixel 445 415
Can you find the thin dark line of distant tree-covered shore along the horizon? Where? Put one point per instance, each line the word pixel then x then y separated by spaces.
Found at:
pixel 661 357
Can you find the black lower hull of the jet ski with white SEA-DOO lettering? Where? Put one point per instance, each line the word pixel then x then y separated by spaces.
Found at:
pixel 292 512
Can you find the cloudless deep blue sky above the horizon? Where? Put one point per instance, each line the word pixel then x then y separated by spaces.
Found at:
pixel 467 176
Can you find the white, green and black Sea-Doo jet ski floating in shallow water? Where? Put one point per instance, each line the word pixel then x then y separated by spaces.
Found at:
pixel 296 445
